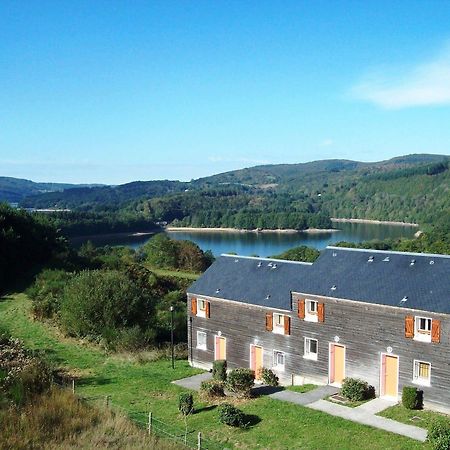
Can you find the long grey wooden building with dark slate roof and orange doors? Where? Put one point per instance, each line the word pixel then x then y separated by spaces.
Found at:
pixel 380 316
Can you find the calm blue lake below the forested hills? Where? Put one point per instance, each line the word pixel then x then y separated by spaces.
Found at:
pixel 263 244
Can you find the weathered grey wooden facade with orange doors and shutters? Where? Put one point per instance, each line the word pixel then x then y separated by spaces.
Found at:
pixel 349 339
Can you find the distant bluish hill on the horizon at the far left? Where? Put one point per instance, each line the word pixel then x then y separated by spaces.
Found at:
pixel 14 190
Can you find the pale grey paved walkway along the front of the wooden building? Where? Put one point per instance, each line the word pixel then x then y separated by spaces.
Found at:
pixel 364 414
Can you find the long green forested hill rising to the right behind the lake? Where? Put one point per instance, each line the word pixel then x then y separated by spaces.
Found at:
pixel 413 188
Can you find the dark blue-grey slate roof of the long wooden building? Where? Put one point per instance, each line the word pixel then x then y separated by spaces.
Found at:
pixel 422 281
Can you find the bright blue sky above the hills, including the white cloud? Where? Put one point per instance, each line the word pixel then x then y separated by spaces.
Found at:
pixel 115 91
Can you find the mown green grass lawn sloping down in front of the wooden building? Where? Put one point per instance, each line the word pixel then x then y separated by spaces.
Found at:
pixel 140 388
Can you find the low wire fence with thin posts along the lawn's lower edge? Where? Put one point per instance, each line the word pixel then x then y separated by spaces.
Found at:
pixel 146 419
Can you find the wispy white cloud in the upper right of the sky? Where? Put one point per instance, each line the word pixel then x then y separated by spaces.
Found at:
pixel 427 84
